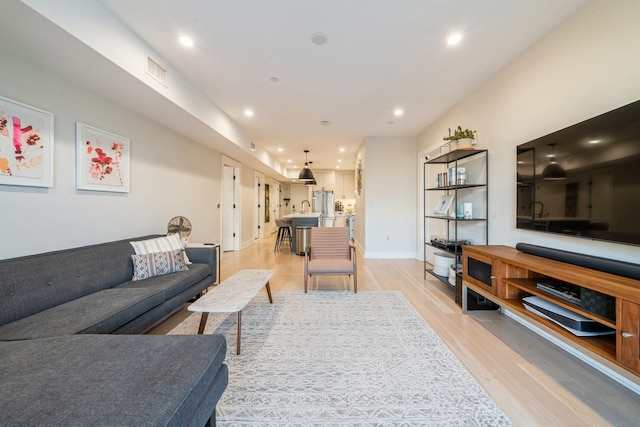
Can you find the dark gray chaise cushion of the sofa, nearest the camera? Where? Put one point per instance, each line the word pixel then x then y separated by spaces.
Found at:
pixel 97 380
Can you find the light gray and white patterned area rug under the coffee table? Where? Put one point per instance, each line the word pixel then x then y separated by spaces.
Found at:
pixel 334 358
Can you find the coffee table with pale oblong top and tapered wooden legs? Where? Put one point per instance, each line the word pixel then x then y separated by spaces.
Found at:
pixel 232 295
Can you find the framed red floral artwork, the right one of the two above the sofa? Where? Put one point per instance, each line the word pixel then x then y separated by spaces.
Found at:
pixel 102 160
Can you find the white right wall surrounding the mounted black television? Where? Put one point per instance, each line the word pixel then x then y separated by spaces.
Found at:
pixel 588 65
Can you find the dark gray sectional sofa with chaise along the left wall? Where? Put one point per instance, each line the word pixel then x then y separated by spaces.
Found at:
pixel 70 349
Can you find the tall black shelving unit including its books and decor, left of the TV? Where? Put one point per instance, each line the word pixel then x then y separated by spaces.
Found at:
pixel 455 206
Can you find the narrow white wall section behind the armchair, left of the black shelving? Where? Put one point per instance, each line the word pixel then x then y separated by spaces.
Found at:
pixel 390 204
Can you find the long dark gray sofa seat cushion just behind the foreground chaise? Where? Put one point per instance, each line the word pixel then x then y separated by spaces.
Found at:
pixel 99 313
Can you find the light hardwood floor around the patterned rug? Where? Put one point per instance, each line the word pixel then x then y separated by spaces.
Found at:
pixel 534 382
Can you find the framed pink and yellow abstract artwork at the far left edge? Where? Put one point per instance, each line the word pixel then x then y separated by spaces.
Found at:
pixel 26 145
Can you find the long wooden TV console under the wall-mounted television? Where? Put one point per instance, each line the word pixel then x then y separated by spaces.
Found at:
pixel 505 275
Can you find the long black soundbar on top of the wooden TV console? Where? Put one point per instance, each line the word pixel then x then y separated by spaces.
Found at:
pixel 620 268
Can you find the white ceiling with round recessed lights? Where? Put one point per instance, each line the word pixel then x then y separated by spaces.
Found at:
pixel 380 55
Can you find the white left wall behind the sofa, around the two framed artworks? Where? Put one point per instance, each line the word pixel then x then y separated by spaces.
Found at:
pixel 169 175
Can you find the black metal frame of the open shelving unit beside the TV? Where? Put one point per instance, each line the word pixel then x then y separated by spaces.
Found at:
pixel 455 237
